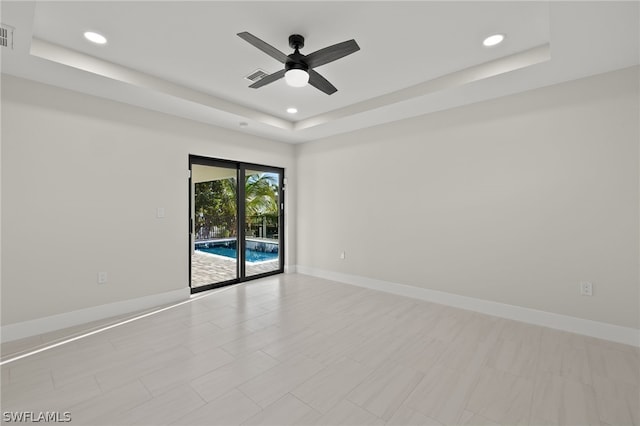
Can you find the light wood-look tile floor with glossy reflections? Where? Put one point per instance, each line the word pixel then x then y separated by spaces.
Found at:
pixel 297 350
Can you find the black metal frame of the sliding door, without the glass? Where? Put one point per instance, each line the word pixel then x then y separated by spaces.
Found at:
pixel 241 168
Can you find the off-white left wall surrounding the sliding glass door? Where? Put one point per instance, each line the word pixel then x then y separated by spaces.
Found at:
pixel 81 180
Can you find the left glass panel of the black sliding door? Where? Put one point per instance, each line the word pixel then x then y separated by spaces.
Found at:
pixel 214 219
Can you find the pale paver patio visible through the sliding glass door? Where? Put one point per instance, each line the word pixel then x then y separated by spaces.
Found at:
pixel 208 269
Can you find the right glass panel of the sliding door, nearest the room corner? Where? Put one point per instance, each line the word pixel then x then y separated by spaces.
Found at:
pixel 262 221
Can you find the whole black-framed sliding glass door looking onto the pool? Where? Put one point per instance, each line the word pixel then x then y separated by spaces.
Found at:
pixel 236 231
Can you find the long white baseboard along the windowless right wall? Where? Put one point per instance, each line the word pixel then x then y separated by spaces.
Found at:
pixel 600 330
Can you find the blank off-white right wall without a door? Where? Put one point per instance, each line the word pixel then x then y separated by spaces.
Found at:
pixel 514 200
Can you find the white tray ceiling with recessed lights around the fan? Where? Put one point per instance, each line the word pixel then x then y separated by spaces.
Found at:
pixel 185 59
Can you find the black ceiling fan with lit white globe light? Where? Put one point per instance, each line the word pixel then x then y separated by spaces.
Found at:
pixel 298 68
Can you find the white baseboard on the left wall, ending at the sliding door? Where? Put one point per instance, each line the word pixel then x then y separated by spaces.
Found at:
pixel 43 325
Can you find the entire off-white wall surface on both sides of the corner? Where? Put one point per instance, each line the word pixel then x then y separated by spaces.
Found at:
pixel 515 200
